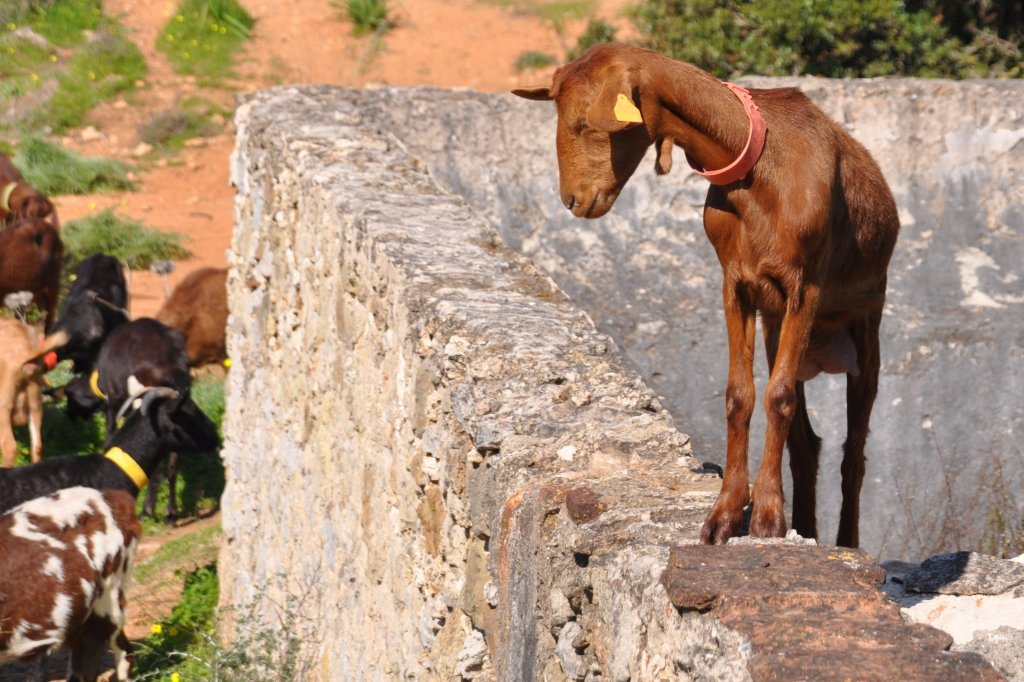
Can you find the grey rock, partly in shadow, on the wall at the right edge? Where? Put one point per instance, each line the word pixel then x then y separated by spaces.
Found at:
pixel 966 574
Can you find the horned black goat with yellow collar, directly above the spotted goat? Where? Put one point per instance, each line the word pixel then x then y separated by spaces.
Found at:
pixel 165 421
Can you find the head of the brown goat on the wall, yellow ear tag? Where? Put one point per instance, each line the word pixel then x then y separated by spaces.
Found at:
pixel 601 137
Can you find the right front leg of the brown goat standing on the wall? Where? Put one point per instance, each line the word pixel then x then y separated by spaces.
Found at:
pixel 782 404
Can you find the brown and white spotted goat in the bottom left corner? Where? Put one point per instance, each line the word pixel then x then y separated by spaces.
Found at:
pixel 66 563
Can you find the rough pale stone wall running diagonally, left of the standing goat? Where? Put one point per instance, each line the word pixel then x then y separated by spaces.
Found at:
pixel 412 410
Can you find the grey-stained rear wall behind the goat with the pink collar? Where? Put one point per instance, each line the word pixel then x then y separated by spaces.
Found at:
pixel 946 466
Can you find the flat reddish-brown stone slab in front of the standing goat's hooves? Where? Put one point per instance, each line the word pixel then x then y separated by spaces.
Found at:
pixel 813 613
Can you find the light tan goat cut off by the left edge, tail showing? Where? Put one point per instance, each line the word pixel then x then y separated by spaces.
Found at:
pixel 21 391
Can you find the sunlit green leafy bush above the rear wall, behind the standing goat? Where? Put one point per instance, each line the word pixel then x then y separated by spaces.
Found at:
pixel 834 38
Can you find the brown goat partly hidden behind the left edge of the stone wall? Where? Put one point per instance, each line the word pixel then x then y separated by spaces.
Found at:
pixel 198 309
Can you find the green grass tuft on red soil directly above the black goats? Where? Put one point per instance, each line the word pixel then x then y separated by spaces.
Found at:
pixel 129 241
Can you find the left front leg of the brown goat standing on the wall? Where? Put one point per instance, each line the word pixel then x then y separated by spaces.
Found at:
pixel 728 515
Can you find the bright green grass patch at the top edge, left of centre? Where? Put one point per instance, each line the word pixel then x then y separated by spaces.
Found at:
pixel 203 37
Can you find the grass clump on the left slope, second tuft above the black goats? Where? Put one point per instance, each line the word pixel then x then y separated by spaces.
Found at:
pixel 55 170
